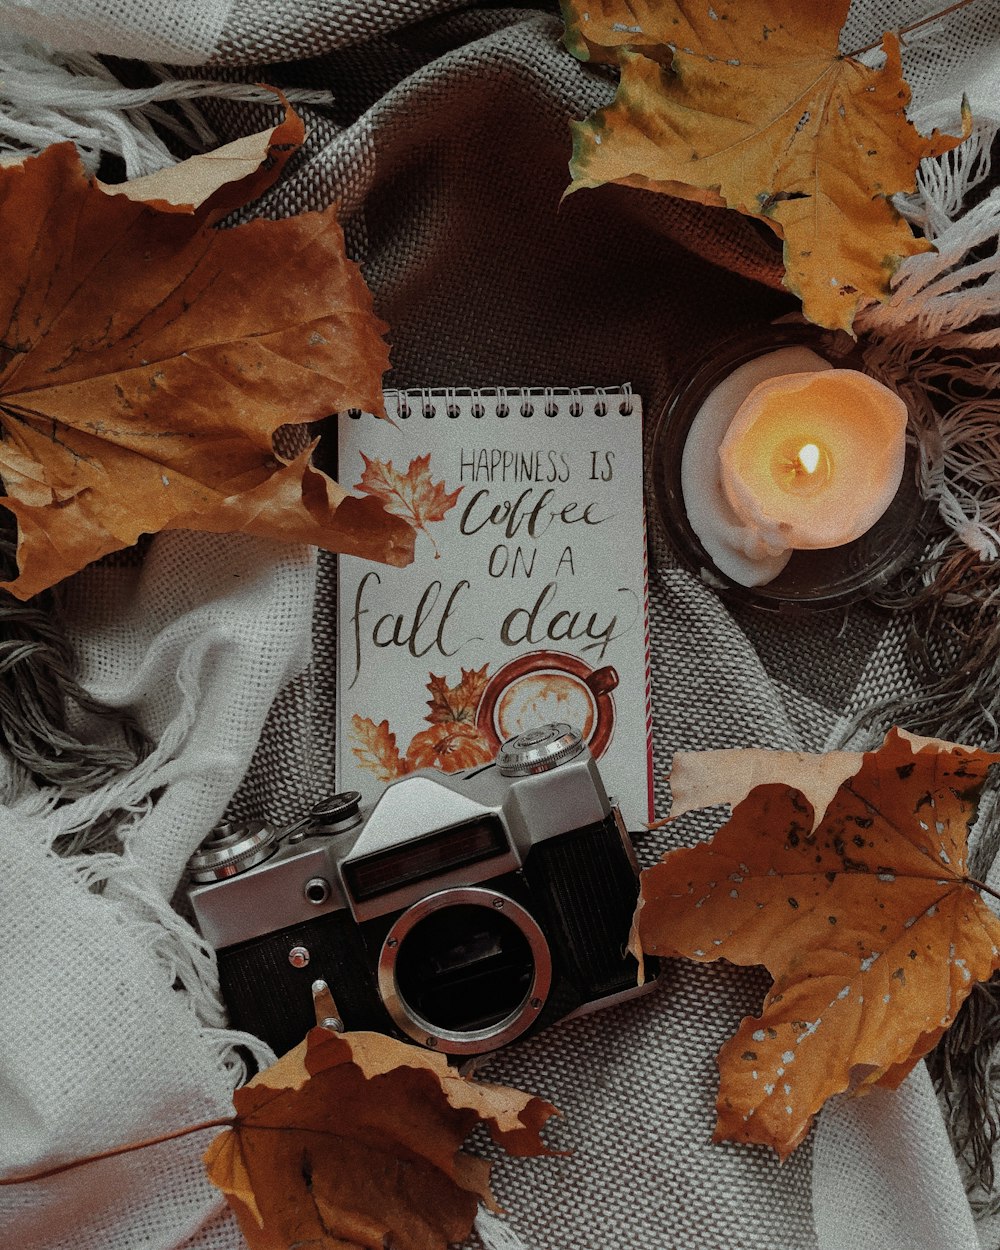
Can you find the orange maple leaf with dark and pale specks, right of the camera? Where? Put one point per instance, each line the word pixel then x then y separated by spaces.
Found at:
pixel 867 921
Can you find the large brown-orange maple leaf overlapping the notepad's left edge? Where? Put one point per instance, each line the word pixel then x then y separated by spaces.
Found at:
pixel 147 362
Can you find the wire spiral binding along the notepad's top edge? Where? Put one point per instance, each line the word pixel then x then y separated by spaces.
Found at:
pixel 506 402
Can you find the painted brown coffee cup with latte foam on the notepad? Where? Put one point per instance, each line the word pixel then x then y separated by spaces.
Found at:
pixel 544 687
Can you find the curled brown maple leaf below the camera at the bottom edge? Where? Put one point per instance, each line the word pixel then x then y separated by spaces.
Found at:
pixel 354 1142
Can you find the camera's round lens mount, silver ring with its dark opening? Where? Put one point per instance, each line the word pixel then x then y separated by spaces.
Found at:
pixel 464 971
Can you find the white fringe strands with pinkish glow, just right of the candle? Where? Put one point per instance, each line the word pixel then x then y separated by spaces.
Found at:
pixel 929 341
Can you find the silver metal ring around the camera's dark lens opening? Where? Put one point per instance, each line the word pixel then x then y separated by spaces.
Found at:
pixel 479 1041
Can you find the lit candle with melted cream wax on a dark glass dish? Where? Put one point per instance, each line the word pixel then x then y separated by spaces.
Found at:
pixel 791 454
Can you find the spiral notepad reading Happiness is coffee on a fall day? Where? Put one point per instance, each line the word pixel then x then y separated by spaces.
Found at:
pixel 527 598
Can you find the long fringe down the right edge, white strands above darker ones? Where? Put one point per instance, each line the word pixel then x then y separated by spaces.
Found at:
pixel 936 343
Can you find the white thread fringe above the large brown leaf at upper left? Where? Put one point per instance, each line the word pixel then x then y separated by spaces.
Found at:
pixel 48 98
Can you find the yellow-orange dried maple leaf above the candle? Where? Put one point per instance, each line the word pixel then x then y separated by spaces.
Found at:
pixel 749 104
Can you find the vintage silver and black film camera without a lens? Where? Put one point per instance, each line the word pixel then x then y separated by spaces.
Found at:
pixel 462 912
